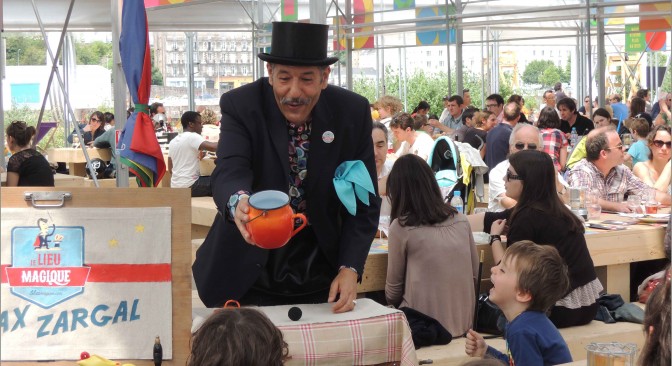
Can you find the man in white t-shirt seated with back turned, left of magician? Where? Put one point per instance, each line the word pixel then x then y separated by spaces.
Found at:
pixel 184 153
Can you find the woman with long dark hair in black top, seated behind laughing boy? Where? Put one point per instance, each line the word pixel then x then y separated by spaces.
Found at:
pixel 540 216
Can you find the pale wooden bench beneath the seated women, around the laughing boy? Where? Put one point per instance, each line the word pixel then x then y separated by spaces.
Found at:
pixel 577 339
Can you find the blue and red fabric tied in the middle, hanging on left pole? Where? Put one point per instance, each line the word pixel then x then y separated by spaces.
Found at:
pixel 138 146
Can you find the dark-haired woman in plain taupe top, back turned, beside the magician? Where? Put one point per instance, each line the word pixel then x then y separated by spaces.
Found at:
pixel 432 261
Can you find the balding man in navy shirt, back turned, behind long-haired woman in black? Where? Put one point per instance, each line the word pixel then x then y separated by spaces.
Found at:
pixel 498 137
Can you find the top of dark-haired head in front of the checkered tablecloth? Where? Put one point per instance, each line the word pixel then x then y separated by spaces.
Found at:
pixel 238 336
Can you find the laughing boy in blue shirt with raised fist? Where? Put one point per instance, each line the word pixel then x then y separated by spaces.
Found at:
pixel 526 283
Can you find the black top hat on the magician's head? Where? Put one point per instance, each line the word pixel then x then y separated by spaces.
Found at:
pixel 299 44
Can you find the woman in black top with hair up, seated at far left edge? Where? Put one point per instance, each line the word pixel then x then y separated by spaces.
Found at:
pixel 26 167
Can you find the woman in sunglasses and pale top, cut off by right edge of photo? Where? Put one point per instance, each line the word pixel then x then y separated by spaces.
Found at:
pixel 655 172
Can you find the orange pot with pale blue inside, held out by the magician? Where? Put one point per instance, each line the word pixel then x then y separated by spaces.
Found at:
pixel 271 222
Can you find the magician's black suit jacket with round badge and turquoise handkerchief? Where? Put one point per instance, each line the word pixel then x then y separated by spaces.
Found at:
pixel 253 155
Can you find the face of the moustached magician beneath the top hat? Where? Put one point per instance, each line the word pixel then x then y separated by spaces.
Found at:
pixel 297 89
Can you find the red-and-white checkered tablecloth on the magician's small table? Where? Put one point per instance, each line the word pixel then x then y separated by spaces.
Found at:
pixel 369 335
